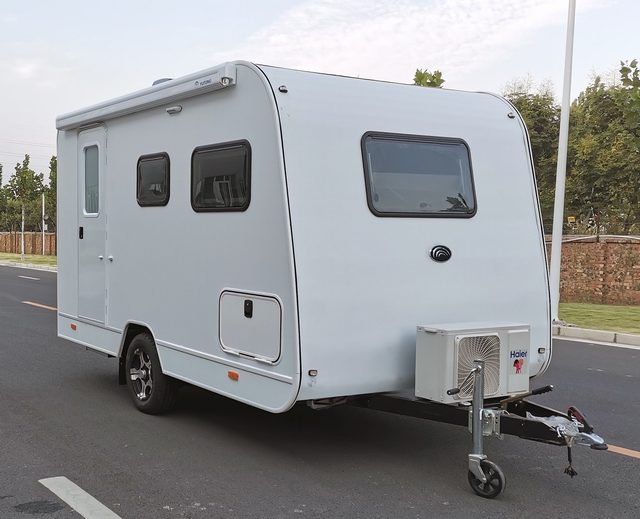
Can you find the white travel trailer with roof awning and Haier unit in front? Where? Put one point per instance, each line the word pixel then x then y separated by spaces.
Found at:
pixel 278 236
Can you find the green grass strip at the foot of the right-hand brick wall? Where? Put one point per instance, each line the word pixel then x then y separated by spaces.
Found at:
pixel 602 317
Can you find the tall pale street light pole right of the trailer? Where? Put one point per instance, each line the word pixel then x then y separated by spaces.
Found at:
pixel 561 171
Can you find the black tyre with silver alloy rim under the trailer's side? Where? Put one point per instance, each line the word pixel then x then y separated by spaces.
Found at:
pixel 152 391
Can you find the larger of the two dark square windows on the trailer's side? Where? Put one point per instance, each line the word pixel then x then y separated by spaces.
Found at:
pixel 220 177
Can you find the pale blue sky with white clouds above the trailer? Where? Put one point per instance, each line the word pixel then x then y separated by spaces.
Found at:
pixel 57 57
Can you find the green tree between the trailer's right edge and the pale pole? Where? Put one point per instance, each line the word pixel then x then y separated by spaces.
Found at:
pixel 542 117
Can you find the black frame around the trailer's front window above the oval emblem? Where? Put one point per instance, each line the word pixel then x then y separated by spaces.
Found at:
pixel 422 139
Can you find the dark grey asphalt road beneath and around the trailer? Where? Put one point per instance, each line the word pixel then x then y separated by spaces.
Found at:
pixel 63 414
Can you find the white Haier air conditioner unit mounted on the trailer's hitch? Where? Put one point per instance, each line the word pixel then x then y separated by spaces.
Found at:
pixel 445 355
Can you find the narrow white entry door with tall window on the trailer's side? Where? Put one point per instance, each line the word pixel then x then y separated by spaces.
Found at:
pixel 91 224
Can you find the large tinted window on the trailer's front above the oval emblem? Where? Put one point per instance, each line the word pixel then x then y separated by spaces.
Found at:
pixel 410 175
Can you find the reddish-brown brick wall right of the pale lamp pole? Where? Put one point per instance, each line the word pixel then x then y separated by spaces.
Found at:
pixel 604 272
